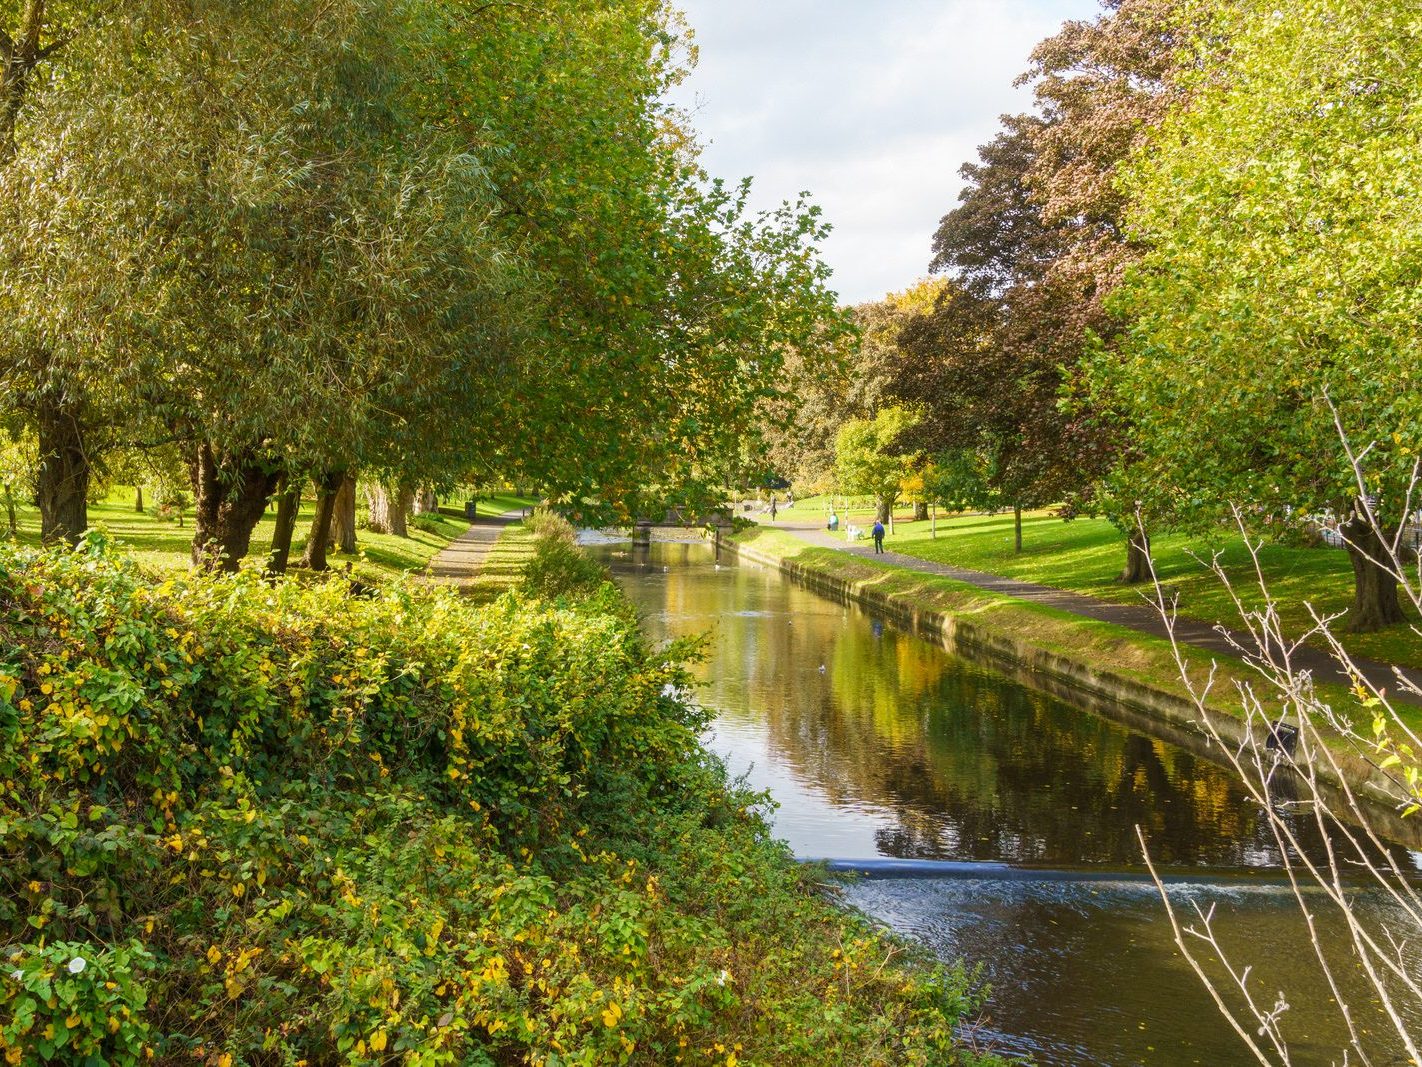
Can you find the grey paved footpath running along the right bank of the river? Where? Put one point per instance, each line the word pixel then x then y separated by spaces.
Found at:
pixel 1143 617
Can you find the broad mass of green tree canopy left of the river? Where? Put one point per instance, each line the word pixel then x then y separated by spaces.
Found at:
pixel 417 238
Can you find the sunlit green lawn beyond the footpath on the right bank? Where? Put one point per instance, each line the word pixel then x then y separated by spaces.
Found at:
pixel 1086 556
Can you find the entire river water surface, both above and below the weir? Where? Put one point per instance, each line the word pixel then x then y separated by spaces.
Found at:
pixel 880 745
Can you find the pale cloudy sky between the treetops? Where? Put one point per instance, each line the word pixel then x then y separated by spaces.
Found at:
pixel 872 106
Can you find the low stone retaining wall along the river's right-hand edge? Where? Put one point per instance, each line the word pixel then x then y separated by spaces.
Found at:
pixel 1131 702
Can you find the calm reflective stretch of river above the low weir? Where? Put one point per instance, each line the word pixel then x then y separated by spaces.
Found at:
pixel 931 758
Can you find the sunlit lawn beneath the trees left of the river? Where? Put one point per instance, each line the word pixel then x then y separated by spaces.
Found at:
pixel 164 546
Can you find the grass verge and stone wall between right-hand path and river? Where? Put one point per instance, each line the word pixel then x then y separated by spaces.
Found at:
pixel 1111 671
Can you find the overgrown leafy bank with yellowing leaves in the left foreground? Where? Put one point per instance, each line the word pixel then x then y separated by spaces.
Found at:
pixel 254 824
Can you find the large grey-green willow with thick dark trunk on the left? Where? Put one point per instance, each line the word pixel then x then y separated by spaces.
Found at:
pixel 295 243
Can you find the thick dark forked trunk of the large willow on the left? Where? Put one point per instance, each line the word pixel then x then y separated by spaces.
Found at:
pixel 231 493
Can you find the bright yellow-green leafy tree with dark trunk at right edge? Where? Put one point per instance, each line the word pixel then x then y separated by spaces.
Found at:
pixel 1283 278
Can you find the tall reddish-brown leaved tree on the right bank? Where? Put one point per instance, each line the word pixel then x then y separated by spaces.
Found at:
pixel 1035 247
